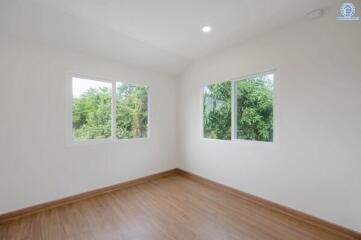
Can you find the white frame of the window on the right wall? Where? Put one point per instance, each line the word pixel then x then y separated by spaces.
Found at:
pixel 275 104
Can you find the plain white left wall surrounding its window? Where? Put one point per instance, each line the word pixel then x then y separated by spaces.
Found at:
pixel 36 163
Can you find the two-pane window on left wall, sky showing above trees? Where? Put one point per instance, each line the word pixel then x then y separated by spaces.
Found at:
pixel 108 110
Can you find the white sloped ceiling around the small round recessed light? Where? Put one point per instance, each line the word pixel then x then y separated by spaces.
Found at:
pixel 161 35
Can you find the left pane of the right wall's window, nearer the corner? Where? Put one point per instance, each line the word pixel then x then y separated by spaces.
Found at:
pixel 217 111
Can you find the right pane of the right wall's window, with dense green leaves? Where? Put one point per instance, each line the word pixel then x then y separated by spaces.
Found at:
pixel 255 108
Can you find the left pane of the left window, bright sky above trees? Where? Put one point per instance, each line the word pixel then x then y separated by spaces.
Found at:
pixel 92 102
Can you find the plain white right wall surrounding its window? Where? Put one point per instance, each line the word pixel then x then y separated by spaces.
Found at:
pixel 315 165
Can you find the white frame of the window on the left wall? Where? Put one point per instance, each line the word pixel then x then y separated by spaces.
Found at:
pixel 113 138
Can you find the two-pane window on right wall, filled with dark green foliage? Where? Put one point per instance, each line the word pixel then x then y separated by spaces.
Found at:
pixel 251 107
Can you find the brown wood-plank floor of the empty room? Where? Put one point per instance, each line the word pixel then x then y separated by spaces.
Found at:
pixel 173 207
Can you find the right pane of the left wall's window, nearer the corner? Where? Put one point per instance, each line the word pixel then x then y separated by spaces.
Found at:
pixel 131 111
